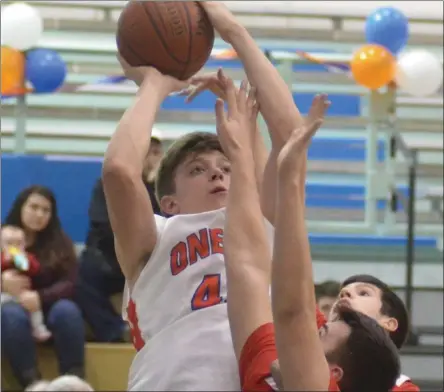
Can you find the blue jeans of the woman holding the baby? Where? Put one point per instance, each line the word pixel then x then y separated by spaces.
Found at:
pixel 63 319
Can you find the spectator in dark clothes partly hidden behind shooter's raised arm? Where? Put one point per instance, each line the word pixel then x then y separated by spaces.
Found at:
pixel 100 275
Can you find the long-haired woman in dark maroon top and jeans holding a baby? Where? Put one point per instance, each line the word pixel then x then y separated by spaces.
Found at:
pixel 51 289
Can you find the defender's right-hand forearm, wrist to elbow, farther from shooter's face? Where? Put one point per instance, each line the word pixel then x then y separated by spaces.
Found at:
pixel 292 275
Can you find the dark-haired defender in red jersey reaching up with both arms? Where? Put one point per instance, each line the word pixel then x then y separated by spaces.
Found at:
pixel 336 357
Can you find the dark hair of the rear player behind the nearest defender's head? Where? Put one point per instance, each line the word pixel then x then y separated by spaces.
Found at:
pixel 392 306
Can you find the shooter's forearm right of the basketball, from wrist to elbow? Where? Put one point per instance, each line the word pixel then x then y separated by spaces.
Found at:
pixel 275 99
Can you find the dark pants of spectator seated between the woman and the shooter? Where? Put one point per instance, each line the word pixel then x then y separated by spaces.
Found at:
pixel 97 281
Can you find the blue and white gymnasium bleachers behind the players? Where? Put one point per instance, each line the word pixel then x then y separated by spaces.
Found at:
pixel 67 133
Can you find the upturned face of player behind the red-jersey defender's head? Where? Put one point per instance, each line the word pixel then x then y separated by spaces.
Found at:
pixel 365 298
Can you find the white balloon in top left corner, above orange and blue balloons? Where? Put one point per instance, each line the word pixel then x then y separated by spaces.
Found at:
pixel 21 26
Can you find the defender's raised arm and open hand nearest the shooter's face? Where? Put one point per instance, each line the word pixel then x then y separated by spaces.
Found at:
pixel 246 247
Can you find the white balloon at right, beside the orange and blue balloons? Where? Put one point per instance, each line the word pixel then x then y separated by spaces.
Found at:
pixel 419 73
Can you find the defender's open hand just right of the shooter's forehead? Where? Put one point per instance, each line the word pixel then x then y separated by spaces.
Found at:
pixel 234 126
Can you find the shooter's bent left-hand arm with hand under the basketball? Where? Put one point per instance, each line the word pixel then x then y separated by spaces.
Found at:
pixel 129 207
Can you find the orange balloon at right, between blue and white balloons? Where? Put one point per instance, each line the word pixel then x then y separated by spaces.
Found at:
pixel 373 66
